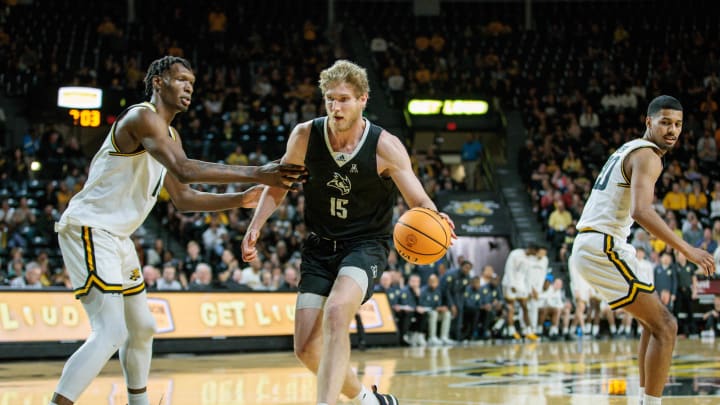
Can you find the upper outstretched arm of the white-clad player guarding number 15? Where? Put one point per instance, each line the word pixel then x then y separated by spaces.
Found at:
pixel 151 131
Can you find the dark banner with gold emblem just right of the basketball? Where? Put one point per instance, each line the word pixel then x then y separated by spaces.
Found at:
pixel 476 213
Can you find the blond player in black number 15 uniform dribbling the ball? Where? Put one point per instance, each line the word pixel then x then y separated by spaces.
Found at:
pixel 355 169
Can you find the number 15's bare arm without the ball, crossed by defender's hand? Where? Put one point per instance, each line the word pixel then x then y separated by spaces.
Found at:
pixel 272 196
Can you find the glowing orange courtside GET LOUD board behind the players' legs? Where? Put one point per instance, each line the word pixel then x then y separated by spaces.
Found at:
pixel 39 316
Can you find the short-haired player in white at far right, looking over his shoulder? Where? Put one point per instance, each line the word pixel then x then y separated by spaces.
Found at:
pixel 623 192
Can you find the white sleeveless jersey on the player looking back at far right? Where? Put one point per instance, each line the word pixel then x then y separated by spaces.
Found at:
pixel 608 208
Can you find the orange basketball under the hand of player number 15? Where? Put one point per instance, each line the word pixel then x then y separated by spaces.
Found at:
pixel 421 236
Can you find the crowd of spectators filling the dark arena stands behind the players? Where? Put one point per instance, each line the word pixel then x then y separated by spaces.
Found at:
pixel 256 81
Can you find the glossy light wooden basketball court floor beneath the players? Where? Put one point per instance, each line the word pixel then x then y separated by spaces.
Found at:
pixel 580 372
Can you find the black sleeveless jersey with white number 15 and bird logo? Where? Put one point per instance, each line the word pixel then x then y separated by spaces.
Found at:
pixel 345 198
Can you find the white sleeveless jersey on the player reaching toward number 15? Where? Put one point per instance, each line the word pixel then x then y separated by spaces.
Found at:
pixel 121 188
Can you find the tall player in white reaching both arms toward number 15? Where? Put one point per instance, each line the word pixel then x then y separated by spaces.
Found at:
pixel 141 153
